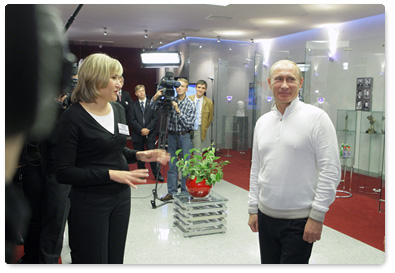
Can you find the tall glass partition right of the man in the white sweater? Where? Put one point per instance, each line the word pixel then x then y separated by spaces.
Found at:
pixel 352 81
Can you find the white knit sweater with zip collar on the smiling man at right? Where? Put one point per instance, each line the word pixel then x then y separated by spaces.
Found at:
pixel 295 164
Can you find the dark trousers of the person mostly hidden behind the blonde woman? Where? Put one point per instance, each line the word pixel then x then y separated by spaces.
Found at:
pixel 56 211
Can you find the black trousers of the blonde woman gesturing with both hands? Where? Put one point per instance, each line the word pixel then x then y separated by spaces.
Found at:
pixel 98 225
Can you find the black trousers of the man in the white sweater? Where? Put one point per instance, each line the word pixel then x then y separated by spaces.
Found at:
pixel 281 240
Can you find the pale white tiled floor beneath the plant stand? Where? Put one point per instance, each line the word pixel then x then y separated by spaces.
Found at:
pixel 152 239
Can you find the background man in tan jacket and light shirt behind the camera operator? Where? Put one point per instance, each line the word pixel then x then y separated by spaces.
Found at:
pixel 204 114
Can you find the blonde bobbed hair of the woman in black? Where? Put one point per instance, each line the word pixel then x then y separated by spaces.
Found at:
pixel 93 74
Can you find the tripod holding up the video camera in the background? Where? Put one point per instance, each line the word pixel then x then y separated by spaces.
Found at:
pixel 164 121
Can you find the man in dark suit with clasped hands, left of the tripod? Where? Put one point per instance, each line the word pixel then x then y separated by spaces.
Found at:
pixel 143 120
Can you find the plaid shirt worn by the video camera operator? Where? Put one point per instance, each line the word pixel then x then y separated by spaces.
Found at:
pixel 184 121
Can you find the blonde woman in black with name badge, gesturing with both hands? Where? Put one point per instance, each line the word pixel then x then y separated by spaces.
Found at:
pixel 92 156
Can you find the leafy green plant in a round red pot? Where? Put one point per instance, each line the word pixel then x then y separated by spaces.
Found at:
pixel 203 168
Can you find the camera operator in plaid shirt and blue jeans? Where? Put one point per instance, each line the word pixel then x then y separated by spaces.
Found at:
pixel 181 121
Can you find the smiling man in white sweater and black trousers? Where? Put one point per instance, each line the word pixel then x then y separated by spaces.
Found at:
pixel 294 173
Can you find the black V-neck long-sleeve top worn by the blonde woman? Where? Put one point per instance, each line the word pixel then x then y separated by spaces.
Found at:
pixel 86 151
